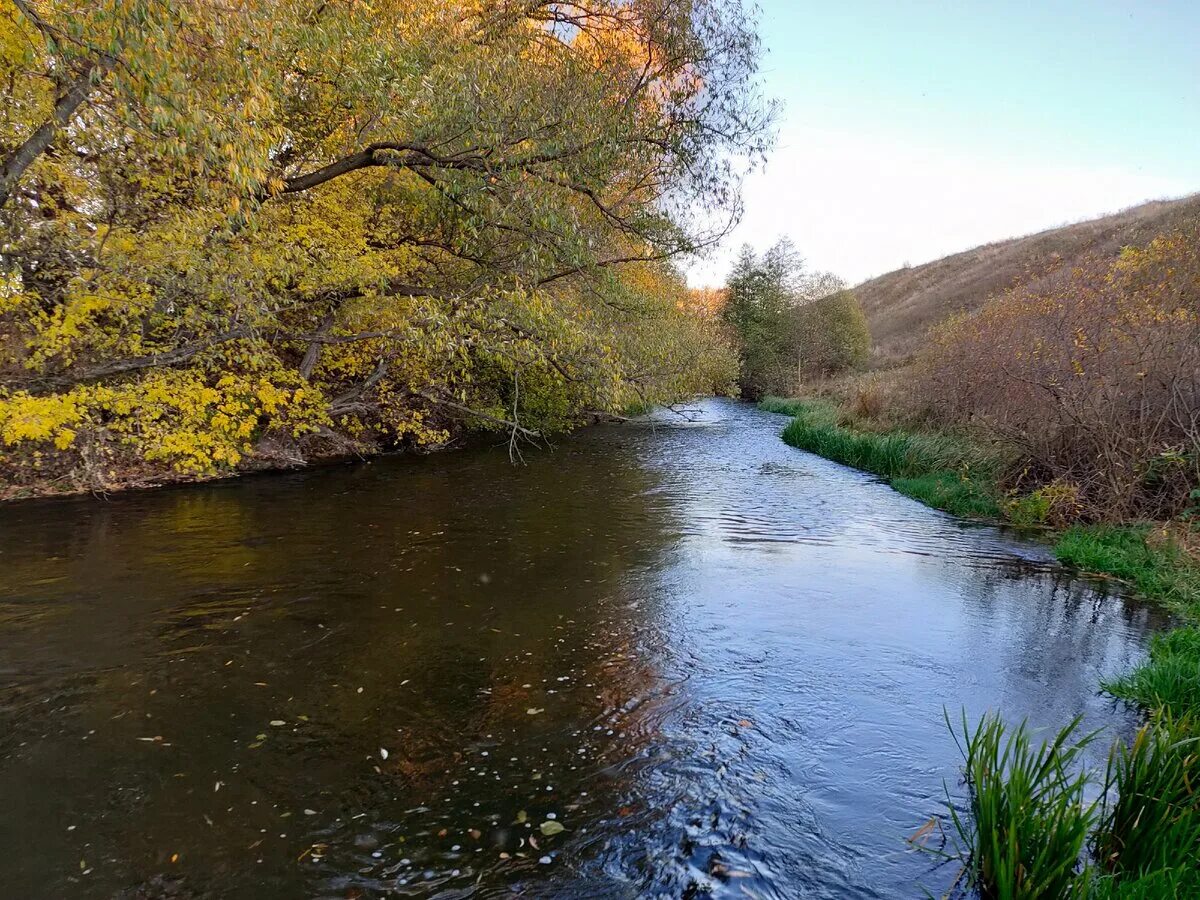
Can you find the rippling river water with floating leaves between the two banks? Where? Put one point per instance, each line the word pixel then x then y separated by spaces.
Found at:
pixel 718 663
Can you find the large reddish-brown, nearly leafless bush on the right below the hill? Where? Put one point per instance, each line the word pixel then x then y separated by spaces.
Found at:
pixel 1094 375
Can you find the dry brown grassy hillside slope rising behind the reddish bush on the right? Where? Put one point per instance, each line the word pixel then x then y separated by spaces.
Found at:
pixel 903 305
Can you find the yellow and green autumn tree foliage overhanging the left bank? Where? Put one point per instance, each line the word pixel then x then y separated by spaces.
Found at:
pixel 277 226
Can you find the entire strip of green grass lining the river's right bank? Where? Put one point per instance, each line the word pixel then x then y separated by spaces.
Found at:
pixel 1030 832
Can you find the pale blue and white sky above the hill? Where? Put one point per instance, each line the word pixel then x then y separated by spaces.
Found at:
pixel 914 129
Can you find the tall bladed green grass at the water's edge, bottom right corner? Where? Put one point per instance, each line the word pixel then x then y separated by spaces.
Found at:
pixel 1031 827
